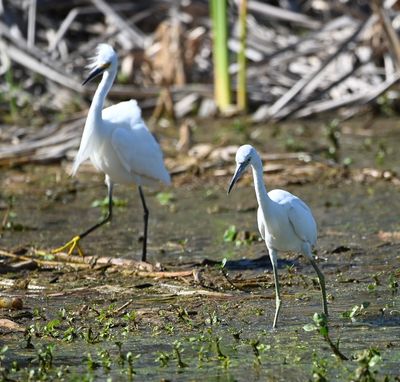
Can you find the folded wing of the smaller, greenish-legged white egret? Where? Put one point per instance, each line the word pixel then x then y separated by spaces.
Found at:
pixel 302 221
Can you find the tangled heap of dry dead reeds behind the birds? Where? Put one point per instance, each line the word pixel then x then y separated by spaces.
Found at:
pixel 340 64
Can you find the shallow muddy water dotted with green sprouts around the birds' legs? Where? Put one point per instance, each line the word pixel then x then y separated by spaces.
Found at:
pixel 217 325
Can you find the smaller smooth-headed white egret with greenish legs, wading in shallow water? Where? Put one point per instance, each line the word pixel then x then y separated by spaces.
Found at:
pixel 285 222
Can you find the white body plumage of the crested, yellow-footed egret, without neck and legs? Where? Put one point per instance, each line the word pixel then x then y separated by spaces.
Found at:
pixel 124 148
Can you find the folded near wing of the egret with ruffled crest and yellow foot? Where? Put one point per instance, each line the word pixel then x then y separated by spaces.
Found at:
pixel 139 152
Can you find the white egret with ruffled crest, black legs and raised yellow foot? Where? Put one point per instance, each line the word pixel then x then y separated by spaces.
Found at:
pixel 118 143
